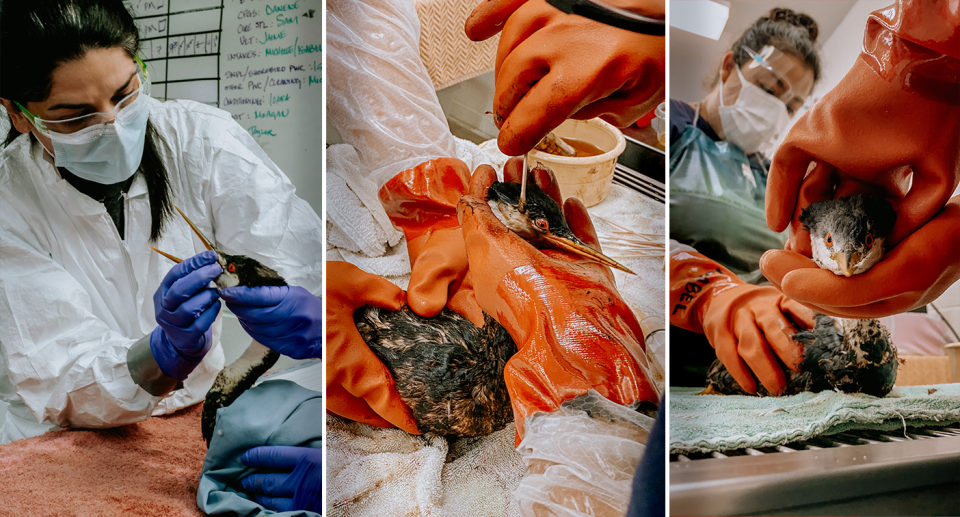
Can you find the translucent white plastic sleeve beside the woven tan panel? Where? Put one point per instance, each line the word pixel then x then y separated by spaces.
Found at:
pixel 380 97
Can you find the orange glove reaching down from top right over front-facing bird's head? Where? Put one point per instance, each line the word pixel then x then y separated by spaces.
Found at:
pixel 893 121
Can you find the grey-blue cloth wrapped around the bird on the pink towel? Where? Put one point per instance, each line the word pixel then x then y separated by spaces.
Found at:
pixel 274 413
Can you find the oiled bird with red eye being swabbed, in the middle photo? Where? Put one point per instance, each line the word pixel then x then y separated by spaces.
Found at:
pixel 447 370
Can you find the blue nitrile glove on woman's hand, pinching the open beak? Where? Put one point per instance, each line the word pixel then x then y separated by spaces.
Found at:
pixel 185 307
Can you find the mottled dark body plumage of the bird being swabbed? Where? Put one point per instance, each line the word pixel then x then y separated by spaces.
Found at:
pixel 447 370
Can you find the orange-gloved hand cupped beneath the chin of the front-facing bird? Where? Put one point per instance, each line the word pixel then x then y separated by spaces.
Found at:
pixel 913 274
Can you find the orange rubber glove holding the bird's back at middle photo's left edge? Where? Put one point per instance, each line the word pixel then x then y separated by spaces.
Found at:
pixel 359 386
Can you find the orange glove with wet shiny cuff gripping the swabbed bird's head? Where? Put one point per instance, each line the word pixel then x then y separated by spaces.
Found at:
pixel 573 331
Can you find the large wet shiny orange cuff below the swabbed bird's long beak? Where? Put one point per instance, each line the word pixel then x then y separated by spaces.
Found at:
pixel 570 341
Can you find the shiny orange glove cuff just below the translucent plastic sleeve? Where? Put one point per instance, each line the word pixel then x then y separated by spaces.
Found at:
pixel 425 197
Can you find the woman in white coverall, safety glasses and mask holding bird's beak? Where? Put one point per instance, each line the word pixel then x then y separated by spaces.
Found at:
pixel 97 330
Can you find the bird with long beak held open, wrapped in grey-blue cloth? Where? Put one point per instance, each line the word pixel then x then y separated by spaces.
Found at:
pixel 240 375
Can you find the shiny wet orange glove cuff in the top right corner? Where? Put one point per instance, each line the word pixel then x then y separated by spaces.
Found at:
pixel 916 46
